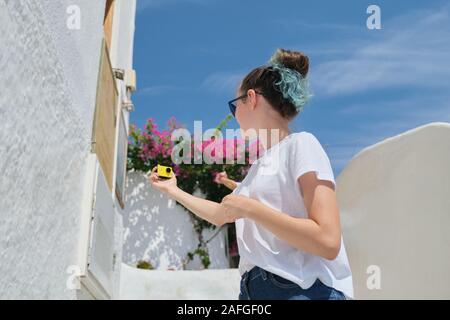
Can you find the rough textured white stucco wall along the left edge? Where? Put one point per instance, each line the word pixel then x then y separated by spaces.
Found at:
pixel 47 102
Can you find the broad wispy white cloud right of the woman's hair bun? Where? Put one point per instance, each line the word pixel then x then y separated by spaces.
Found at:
pixel 412 50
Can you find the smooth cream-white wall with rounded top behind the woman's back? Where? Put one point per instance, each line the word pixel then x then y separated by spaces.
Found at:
pixel 394 199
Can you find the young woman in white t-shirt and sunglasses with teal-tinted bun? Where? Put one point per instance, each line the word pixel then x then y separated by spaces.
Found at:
pixel 285 210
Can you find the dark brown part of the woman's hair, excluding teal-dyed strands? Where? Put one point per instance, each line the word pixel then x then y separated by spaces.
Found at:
pixel 263 78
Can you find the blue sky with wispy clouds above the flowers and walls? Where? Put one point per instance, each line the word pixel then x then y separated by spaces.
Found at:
pixel 367 84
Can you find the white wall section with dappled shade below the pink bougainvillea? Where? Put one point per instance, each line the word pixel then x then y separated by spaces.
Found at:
pixel 161 232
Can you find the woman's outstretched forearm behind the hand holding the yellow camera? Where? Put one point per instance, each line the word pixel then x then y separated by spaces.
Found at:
pixel 208 210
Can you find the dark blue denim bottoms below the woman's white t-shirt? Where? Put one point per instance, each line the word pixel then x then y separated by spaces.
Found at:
pixel 260 284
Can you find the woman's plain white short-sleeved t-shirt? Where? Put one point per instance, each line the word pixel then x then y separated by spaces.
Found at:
pixel 272 180
